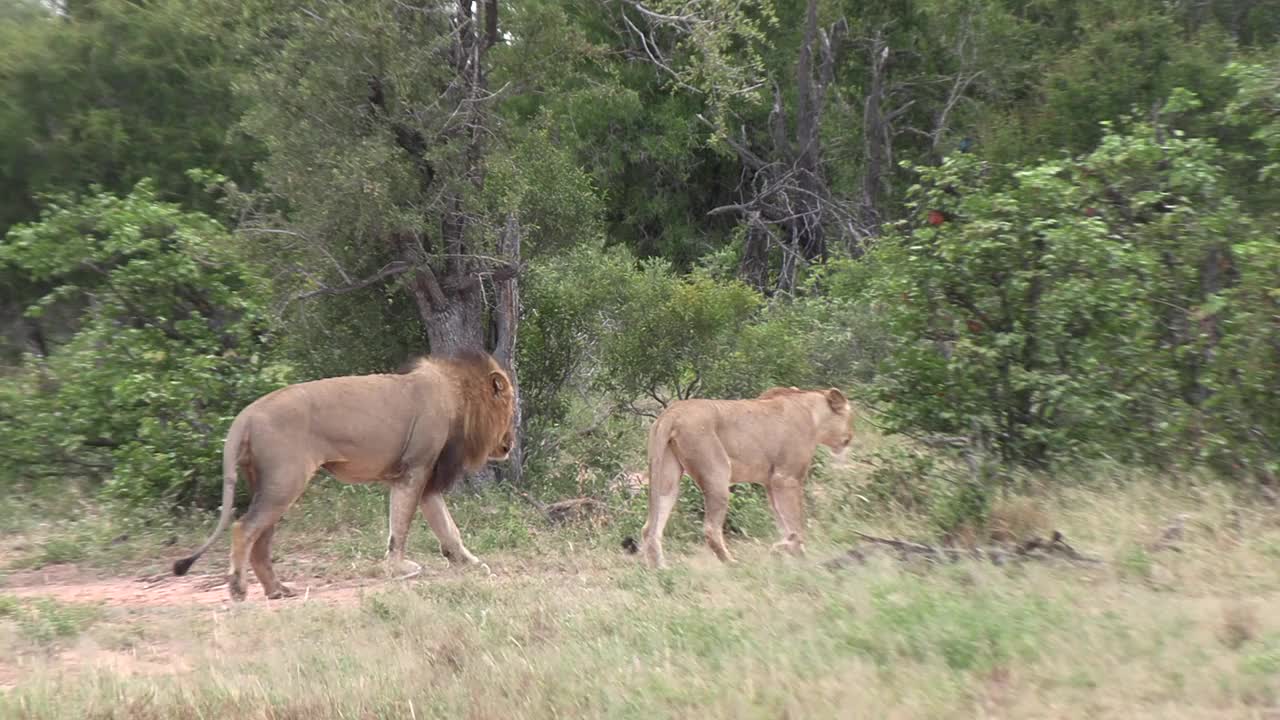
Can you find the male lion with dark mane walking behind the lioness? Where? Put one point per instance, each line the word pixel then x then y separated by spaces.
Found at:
pixel 417 431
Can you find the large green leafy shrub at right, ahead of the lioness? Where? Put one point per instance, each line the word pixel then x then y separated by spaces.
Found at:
pixel 1109 304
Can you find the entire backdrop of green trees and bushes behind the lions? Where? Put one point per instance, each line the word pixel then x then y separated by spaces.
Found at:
pixel 1046 227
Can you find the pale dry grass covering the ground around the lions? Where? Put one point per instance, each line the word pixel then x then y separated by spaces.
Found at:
pixel 572 627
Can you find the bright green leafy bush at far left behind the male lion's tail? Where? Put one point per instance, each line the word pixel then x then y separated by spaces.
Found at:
pixel 172 345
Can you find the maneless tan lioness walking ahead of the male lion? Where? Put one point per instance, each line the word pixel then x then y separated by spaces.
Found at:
pixel 770 441
